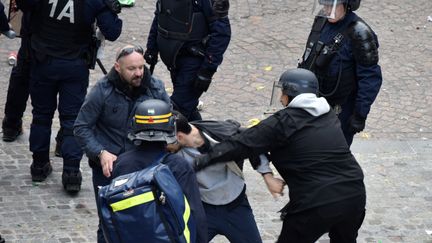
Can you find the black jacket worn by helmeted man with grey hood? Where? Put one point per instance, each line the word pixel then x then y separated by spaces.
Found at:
pixel 309 152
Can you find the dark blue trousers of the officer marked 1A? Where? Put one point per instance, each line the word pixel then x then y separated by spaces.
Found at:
pixel 69 80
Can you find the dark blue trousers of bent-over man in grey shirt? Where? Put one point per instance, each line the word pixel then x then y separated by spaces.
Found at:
pixel 235 222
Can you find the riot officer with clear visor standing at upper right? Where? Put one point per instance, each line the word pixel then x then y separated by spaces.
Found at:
pixel 342 50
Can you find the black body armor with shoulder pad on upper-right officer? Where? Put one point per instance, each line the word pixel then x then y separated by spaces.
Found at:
pixel 337 85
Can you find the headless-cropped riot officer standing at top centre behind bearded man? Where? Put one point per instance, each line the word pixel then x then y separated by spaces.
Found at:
pixel 191 38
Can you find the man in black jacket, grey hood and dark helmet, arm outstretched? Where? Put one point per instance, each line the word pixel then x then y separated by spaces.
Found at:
pixel 308 149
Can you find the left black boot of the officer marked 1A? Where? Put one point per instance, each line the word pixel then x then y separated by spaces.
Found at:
pixel 41 167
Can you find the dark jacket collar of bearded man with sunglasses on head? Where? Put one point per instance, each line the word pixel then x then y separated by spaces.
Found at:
pixel 134 92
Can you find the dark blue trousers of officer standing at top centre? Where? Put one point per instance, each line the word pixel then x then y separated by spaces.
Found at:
pixel 184 95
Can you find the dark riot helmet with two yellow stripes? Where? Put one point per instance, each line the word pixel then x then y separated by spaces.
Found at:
pixel 153 121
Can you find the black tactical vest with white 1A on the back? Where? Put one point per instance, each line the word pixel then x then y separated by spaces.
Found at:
pixel 61 31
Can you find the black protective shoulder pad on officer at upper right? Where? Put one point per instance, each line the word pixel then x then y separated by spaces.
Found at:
pixel 365 47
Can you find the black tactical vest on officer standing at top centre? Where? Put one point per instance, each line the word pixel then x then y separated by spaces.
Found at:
pixel 177 24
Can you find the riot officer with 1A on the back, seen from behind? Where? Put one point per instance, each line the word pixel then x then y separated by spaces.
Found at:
pixel 60 41
